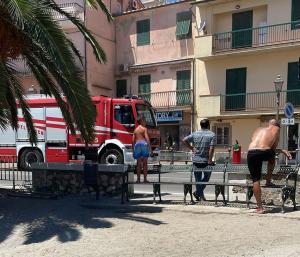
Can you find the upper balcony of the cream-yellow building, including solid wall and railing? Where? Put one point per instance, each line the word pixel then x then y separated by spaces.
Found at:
pixel 253 39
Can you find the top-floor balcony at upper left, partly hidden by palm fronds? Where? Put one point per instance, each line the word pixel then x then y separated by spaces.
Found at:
pixel 73 9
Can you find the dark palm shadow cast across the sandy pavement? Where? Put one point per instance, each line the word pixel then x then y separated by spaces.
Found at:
pixel 43 219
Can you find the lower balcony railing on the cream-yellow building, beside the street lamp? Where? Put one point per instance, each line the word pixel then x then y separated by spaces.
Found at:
pixel 259 101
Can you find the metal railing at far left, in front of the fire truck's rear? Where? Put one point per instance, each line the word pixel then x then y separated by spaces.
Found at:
pixel 11 176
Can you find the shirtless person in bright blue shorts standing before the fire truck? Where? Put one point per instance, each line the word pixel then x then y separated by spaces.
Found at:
pixel 141 148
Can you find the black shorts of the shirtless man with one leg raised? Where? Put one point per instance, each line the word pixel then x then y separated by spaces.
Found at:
pixel 255 158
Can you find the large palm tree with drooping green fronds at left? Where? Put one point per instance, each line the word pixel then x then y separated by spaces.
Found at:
pixel 28 30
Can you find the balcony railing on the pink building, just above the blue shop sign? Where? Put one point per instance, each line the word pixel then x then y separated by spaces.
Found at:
pixel 179 98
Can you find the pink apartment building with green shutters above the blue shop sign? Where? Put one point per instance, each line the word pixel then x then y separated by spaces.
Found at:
pixel 155 51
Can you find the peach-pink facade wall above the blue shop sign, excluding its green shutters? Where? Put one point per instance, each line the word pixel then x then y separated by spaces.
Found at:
pixel 162 58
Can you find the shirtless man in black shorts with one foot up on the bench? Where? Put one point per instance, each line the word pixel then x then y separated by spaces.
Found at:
pixel 262 148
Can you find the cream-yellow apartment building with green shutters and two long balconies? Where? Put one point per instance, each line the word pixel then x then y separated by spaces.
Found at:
pixel 241 48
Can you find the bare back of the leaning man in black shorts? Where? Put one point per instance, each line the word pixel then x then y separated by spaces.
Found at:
pixel 265 138
